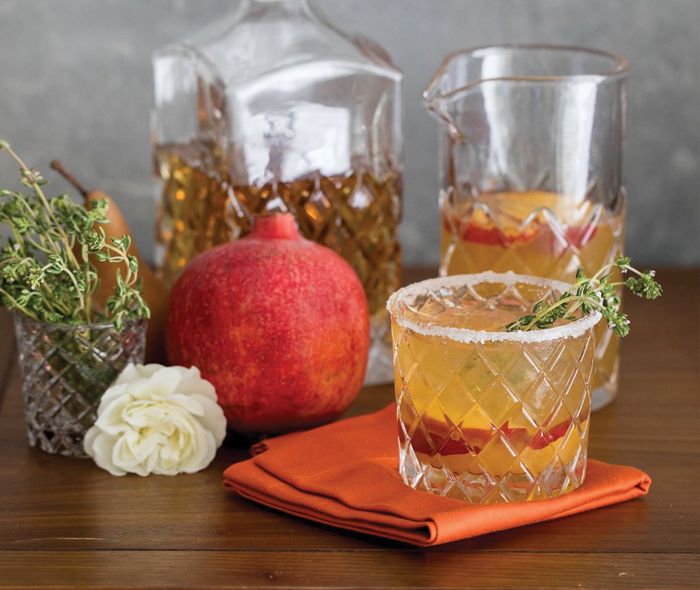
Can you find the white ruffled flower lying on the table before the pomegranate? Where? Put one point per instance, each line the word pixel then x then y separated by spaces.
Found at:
pixel 156 419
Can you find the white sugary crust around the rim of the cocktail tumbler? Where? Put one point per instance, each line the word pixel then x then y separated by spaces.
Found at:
pixel 572 330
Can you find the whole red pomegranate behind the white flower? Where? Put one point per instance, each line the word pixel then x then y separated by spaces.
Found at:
pixel 277 323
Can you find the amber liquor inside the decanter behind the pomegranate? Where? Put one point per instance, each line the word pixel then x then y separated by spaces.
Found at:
pixel 356 213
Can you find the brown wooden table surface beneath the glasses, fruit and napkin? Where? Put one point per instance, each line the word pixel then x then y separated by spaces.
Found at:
pixel 66 523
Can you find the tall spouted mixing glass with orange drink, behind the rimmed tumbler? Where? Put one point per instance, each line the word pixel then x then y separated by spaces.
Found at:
pixel 531 167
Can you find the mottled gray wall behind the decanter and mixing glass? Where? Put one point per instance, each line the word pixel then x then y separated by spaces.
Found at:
pixel 75 84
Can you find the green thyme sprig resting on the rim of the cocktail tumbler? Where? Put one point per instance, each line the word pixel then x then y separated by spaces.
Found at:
pixel 598 293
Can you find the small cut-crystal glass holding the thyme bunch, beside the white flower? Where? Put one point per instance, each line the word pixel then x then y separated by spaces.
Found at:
pixel 65 370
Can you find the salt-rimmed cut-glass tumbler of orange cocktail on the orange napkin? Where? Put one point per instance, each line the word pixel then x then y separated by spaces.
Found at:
pixel 485 415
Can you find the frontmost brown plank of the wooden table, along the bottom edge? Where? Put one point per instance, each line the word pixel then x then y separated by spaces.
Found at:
pixel 353 569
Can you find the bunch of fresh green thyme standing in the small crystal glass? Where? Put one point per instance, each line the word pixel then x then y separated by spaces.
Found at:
pixel 46 269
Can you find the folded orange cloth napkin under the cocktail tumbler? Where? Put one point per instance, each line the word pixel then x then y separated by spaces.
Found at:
pixel 346 475
